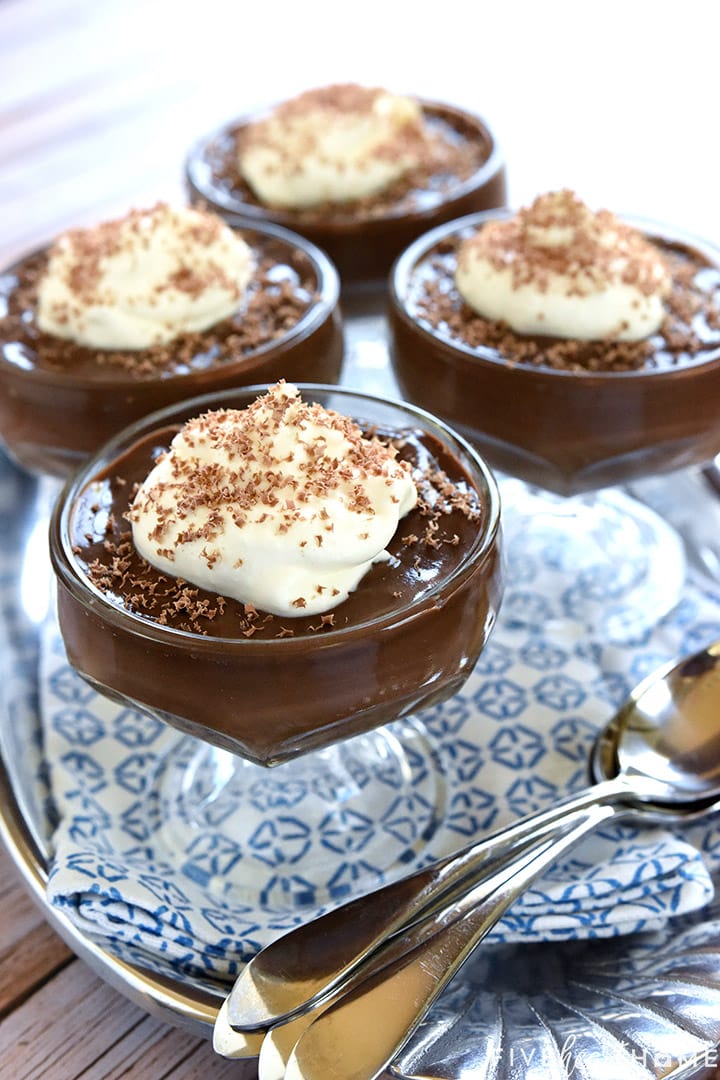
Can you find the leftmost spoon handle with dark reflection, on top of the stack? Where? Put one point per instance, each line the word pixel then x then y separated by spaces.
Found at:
pixel 300 968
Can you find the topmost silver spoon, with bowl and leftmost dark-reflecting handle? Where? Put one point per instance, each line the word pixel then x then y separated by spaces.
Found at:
pixel 660 755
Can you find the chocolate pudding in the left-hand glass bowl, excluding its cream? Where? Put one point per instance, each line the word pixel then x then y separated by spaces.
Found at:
pixel 61 401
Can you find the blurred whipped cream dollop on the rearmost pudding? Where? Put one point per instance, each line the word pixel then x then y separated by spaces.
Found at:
pixel 333 144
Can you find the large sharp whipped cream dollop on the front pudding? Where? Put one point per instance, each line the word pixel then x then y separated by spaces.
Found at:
pixel 283 505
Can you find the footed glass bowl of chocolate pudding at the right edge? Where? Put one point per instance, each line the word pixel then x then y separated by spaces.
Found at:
pixel 567 417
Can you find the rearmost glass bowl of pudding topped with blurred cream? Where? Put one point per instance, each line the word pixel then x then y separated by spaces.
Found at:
pixel 459 169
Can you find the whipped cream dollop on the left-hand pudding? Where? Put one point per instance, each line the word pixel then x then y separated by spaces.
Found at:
pixel 144 279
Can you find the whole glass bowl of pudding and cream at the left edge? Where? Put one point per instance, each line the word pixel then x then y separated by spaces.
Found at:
pixel 62 399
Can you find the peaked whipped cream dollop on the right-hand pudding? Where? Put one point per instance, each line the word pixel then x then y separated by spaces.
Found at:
pixel 560 269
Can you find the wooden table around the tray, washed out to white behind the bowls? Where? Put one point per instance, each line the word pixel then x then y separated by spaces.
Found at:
pixel 99 105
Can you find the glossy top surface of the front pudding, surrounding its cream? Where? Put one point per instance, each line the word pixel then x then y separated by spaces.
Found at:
pixel 430 544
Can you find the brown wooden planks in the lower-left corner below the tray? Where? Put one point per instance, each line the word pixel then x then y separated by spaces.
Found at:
pixel 60 1021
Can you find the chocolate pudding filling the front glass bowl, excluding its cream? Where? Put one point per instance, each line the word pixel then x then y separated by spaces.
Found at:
pixel 271 686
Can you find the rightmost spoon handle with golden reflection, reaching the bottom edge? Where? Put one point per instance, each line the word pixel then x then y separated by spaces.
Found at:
pixel 392 1004
